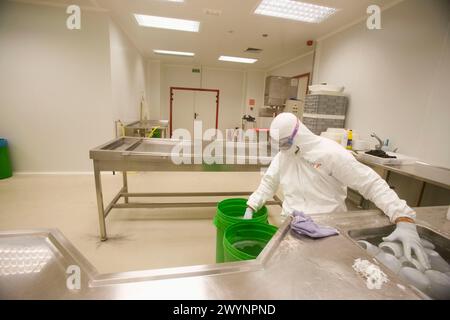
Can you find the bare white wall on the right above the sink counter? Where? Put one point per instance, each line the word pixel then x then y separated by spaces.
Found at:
pixel 397 78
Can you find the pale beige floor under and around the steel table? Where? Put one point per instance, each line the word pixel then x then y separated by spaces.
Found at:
pixel 138 238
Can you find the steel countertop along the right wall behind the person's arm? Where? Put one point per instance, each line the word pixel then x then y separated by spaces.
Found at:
pixel 420 171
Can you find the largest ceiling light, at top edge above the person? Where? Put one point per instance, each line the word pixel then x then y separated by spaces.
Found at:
pixel 294 10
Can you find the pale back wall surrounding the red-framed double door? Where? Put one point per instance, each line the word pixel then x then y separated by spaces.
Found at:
pixel 236 87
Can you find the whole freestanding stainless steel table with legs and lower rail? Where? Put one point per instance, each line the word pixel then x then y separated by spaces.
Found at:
pixel 140 154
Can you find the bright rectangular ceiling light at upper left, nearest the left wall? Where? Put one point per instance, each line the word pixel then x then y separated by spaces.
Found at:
pixel 167 23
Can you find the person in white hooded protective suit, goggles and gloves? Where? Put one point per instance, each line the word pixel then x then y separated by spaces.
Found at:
pixel 314 173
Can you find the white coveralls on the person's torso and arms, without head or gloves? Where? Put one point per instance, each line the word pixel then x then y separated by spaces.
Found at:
pixel 315 179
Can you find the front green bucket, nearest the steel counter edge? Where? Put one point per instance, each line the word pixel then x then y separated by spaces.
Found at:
pixel 245 241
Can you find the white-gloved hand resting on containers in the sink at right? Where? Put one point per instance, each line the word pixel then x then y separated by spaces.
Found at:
pixel 406 233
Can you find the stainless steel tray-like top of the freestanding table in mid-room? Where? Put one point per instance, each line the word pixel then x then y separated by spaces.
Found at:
pixel 144 154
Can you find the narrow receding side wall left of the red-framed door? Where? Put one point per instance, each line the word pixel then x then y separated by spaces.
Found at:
pixel 128 72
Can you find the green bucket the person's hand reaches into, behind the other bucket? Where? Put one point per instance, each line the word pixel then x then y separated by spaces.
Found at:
pixel 229 212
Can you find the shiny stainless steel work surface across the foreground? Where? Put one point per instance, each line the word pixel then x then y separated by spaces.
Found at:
pixel 290 267
